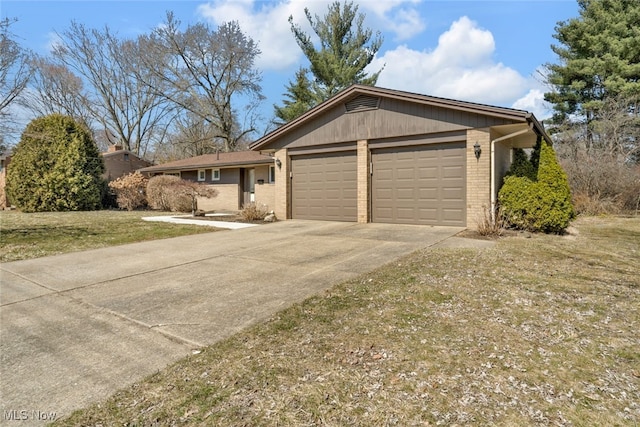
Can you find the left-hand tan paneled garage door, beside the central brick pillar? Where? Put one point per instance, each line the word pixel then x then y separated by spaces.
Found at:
pixel 324 186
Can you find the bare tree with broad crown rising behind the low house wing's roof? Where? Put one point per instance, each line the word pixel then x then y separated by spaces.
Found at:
pixel 208 71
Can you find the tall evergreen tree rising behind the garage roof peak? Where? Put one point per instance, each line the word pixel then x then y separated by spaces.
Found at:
pixel 345 50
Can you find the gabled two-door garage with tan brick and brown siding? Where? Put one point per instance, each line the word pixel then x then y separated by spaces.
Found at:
pixel 377 155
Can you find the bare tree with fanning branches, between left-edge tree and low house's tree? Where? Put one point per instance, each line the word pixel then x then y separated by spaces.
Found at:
pixel 134 111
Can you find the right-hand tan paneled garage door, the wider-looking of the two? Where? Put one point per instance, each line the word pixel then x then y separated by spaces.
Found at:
pixel 422 184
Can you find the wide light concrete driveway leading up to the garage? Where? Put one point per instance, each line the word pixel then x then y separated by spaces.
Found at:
pixel 77 327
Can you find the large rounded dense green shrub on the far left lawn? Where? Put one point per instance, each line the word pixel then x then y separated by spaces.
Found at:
pixel 56 166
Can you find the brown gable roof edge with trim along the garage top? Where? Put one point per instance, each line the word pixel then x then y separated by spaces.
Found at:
pixel 357 90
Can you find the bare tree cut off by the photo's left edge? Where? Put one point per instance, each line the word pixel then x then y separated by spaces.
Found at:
pixel 15 73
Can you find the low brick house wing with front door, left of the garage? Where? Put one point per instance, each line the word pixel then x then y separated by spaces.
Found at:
pixel 239 177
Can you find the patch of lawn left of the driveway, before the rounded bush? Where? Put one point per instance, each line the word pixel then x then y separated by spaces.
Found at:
pixel 32 235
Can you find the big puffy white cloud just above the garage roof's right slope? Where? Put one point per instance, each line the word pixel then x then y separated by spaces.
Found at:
pixel 460 67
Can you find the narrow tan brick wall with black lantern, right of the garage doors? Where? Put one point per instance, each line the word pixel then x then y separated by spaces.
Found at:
pixel 478 176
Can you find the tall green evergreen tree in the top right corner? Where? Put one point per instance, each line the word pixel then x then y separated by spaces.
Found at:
pixel 599 58
